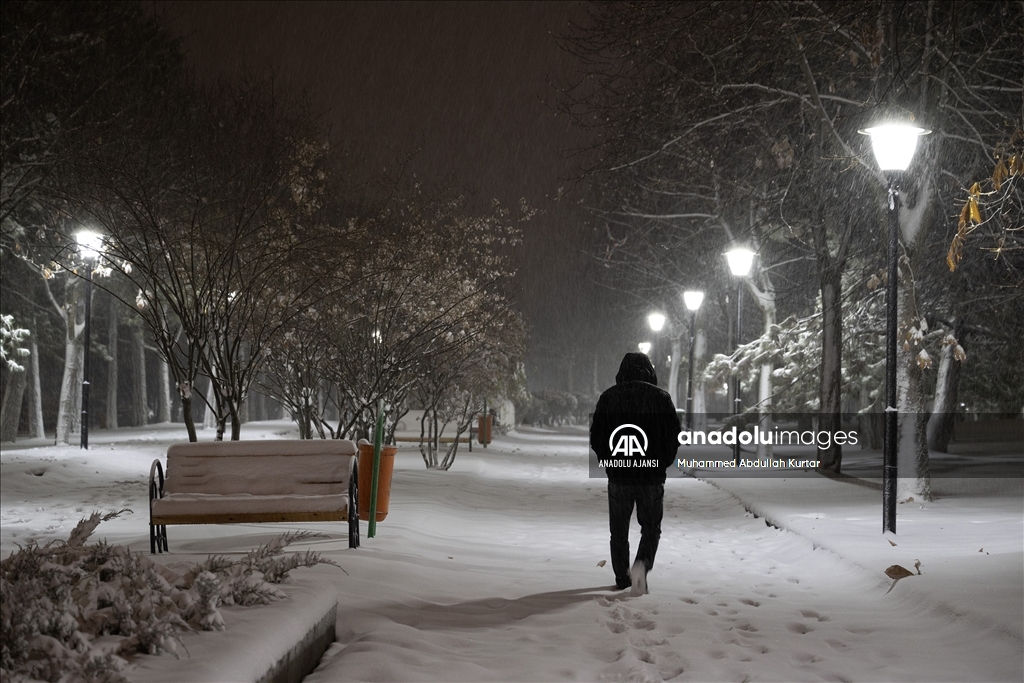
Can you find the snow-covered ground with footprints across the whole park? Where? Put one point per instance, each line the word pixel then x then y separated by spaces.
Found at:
pixel 491 571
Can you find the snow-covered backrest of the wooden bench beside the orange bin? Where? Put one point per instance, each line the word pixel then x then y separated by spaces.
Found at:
pixel 261 467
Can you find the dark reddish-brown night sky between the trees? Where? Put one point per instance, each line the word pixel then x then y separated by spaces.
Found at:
pixel 467 84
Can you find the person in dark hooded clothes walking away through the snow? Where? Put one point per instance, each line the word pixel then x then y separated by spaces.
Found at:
pixel 635 434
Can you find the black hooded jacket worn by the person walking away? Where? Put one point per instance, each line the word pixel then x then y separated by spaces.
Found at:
pixel 636 400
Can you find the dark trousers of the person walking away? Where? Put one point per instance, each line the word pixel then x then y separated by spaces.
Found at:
pixel 649 499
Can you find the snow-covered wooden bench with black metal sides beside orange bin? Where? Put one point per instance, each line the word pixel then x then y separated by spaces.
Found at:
pixel 233 483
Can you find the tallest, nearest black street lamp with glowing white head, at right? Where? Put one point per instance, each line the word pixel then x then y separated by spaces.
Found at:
pixel 894 146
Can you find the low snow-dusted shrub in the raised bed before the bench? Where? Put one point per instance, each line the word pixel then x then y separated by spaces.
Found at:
pixel 57 601
